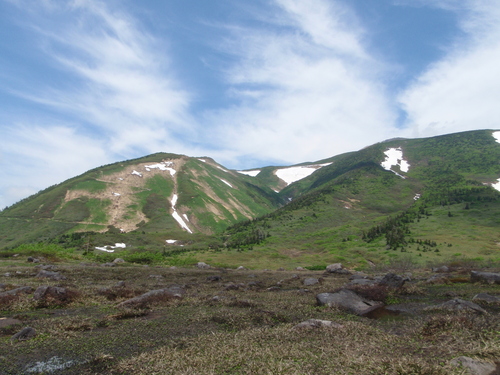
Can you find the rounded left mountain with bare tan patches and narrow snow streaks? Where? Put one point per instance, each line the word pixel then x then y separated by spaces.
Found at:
pixel 151 194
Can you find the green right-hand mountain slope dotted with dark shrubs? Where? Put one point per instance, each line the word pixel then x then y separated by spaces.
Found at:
pixel 333 209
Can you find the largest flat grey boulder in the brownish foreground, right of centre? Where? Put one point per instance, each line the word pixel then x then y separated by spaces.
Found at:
pixel 348 300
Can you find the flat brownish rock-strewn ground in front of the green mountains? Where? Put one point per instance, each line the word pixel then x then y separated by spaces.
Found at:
pixel 131 319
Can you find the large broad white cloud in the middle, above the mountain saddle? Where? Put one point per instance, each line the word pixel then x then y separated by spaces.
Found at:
pixel 303 94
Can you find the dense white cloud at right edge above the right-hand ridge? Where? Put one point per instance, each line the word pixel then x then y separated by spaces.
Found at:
pixel 461 91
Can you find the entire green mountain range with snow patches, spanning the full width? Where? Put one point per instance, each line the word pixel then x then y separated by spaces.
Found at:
pixel 401 194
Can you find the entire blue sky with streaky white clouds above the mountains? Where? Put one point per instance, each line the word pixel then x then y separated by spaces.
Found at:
pixel 267 82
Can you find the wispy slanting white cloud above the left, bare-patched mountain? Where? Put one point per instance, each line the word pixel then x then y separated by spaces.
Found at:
pixel 122 84
